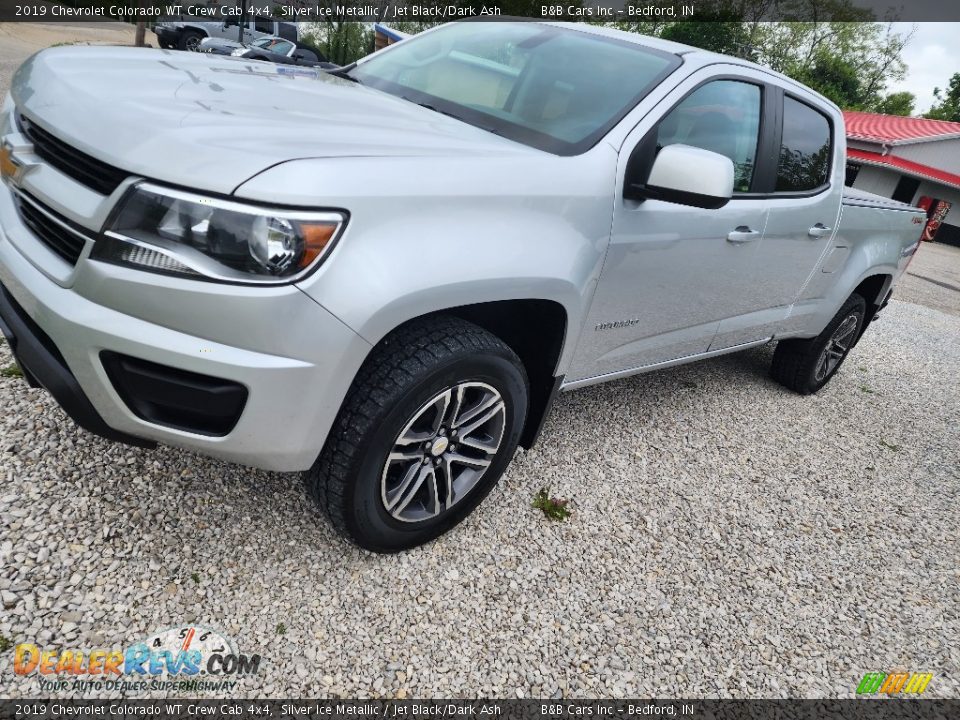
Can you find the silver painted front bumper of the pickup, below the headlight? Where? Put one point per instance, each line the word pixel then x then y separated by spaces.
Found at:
pixel 295 359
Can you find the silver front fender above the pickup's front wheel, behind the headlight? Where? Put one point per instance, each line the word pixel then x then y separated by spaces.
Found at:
pixel 433 236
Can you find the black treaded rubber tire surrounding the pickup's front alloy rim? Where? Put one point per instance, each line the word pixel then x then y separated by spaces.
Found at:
pixel 407 369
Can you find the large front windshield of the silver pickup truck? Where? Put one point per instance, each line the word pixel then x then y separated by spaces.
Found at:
pixel 556 89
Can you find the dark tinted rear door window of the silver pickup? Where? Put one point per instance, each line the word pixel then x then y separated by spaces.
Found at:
pixel 805 150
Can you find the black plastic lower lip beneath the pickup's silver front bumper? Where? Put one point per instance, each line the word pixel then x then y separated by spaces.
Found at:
pixel 43 365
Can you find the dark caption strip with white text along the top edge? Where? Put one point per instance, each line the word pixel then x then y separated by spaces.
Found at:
pixel 387 11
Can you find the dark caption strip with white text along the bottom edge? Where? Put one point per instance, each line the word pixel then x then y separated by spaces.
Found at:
pixel 293 709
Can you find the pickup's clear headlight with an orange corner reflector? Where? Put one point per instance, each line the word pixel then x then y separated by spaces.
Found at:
pixel 175 232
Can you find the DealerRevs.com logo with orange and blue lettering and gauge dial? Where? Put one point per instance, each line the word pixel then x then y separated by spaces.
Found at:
pixel 186 658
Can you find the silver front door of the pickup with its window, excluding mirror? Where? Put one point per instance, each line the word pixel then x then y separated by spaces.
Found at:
pixel 673 273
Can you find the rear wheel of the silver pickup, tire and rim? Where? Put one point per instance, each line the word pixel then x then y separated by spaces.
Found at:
pixel 805 366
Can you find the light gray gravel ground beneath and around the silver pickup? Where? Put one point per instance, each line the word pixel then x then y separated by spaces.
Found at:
pixel 728 539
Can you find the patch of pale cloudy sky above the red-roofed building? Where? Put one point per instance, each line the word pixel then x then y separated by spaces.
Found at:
pixel 932 56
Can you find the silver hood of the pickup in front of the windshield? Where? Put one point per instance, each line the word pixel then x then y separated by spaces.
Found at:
pixel 212 122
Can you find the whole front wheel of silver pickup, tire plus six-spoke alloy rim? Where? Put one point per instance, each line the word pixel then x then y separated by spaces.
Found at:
pixel 428 427
